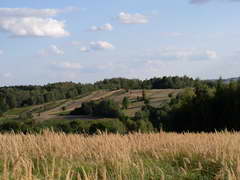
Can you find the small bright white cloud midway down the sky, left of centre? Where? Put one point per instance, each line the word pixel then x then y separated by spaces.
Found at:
pixel 95 46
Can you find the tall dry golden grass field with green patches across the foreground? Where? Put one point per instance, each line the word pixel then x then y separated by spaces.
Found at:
pixel 167 156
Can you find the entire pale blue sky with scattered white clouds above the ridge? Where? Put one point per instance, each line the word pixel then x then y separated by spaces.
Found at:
pixel 84 41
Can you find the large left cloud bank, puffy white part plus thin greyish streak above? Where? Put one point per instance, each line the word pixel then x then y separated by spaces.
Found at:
pixel 32 22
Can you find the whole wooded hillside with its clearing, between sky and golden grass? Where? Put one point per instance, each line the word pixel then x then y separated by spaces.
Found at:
pixel 125 105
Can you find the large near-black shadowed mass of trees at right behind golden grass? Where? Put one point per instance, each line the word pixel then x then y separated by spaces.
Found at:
pixel 201 109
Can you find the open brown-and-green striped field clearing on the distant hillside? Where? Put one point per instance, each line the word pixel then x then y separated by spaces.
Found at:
pixel 54 110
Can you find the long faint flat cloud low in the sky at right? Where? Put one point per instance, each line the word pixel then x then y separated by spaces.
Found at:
pixel 182 54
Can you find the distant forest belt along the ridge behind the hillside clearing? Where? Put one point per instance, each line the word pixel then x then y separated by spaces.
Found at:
pixel 20 96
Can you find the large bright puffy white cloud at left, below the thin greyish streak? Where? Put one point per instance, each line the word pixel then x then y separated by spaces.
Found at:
pixel 32 26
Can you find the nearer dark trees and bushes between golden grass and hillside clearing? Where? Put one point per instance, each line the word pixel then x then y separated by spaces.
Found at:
pixel 200 109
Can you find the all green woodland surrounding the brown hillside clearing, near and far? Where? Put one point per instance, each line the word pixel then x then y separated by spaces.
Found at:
pixel 201 106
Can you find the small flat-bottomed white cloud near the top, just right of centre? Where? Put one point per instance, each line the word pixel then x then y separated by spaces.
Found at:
pixel 127 18
